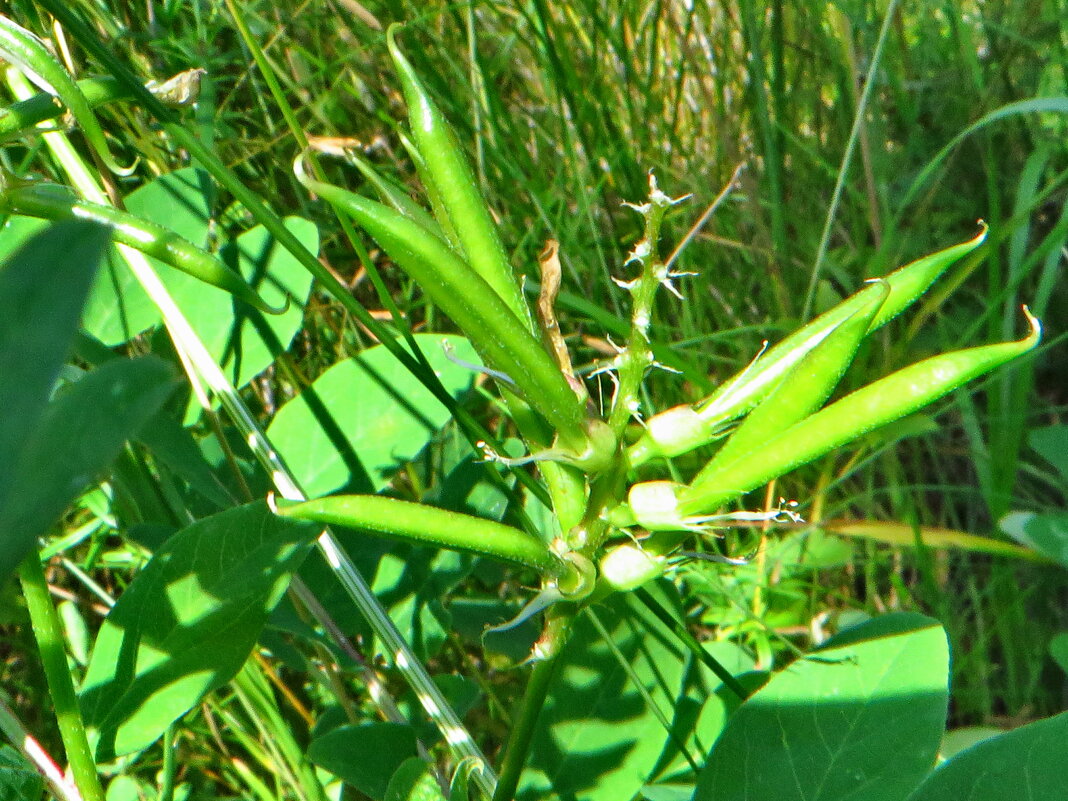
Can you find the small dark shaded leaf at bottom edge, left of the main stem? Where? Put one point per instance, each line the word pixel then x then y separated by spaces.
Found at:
pixel 365 757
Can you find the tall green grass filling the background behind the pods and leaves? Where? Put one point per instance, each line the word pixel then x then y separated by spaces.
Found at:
pixel 566 107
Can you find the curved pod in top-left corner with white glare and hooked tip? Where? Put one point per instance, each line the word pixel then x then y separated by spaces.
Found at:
pixel 24 50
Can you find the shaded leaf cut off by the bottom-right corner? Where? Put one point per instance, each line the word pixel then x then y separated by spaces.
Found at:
pixel 1025 765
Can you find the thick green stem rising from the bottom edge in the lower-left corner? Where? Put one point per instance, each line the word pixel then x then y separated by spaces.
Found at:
pixel 48 632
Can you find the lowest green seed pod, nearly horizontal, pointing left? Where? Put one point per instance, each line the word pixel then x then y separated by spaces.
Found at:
pixel 416 523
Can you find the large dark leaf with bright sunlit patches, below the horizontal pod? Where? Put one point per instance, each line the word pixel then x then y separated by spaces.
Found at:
pixel 187 623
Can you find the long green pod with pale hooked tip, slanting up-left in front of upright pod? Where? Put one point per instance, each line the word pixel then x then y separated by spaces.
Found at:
pixel 504 342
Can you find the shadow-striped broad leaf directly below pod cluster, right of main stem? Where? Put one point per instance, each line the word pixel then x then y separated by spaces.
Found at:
pixel 599 739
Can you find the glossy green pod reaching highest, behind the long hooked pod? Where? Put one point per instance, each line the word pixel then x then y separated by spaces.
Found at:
pixel 454 183
